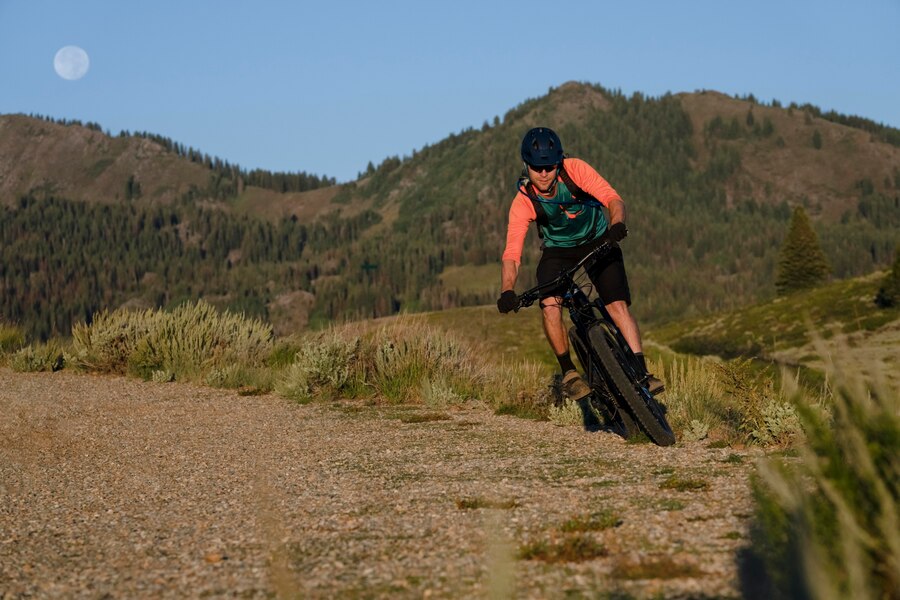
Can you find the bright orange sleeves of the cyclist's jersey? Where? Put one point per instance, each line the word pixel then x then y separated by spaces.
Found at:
pixel 521 213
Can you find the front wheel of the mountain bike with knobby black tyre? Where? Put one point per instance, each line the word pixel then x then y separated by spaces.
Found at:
pixel 640 403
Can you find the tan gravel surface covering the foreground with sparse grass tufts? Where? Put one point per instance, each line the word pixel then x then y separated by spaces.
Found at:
pixel 112 487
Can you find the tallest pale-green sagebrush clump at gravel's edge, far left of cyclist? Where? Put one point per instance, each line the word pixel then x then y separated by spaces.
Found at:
pixel 195 338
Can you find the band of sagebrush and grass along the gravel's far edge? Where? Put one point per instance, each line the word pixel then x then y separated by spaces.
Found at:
pixel 396 361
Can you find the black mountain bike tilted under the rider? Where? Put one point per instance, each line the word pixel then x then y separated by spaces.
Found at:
pixel 612 370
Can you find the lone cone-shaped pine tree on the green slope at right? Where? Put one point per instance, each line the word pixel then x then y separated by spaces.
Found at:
pixel 802 263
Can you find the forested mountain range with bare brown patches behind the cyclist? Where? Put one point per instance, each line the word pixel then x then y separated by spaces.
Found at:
pixel 709 182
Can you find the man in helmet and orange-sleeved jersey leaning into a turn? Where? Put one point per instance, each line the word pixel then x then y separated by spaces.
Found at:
pixel 569 193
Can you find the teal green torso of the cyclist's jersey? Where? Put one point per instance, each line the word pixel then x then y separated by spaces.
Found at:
pixel 565 231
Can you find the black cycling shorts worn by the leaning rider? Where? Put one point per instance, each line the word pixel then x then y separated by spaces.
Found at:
pixel 607 274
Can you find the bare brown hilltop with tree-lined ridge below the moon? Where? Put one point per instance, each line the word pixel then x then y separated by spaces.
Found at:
pixel 67 159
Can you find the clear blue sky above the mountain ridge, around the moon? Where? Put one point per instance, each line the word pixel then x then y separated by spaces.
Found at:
pixel 326 87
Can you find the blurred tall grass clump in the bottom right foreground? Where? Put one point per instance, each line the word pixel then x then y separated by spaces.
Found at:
pixel 829 527
